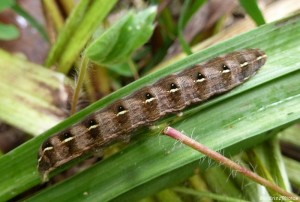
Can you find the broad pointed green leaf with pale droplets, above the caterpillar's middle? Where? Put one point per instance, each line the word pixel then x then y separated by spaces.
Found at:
pixel 118 43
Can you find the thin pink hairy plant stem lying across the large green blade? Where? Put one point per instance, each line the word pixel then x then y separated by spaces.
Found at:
pixel 171 132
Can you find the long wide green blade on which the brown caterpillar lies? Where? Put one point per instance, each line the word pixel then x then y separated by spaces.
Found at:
pixel 231 122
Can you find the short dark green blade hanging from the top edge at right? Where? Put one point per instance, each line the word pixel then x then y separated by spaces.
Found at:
pixel 253 10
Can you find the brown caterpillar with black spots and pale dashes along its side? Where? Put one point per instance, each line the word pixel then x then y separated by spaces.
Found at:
pixel 170 94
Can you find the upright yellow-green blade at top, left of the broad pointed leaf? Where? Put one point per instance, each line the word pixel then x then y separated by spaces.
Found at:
pixel 78 29
